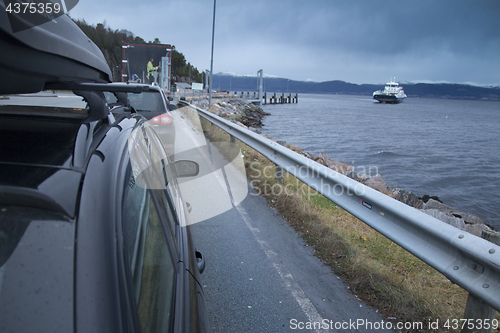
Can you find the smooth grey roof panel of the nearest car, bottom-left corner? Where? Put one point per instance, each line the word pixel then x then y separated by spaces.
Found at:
pixel 36 270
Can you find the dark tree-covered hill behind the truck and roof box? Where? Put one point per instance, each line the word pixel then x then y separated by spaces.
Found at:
pixel 110 43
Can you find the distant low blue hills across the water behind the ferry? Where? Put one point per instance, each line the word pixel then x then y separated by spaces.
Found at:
pixel 228 82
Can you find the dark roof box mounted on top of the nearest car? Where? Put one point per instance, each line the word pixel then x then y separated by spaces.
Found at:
pixel 54 52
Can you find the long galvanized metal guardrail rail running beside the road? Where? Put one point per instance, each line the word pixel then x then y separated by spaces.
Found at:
pixel 469 261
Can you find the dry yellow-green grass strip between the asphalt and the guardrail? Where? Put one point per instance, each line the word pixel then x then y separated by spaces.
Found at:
pixel 377 270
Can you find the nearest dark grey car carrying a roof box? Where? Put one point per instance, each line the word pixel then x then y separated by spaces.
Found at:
pixel 94 233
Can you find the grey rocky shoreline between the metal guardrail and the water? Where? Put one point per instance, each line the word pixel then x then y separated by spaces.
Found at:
pixel 250 116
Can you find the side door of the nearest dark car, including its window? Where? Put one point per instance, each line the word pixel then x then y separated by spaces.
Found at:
pixel 157 254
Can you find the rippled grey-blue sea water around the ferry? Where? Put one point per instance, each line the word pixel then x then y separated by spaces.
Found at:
pixel 448 148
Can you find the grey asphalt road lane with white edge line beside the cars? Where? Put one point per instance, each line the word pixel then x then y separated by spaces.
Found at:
pixel 260 275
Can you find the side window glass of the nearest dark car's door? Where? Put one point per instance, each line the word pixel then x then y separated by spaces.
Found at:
pixel 151 259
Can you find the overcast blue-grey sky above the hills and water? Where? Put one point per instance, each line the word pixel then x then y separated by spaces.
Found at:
pixel 358 41
